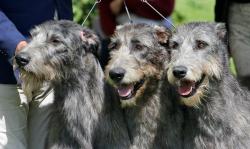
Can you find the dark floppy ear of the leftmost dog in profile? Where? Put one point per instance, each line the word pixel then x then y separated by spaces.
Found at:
pixel 92 40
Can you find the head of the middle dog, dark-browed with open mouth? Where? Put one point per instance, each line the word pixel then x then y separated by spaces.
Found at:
pixel 137 54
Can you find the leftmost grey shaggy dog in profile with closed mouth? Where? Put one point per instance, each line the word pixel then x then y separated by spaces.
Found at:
pixel 86 114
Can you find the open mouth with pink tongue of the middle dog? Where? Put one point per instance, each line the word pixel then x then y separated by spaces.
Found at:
pixel 128 91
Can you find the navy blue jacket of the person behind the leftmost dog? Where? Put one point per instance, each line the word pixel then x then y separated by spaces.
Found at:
pixel 17 17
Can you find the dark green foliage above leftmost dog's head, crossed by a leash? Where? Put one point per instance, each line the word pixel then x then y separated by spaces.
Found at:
pixel 81 8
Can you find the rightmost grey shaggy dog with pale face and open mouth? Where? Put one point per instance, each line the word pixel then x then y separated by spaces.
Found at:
pixel 217 109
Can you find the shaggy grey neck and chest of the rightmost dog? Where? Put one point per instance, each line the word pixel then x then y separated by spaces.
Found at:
pixel 221 118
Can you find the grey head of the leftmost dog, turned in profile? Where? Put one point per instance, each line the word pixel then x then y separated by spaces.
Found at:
pixel 55 46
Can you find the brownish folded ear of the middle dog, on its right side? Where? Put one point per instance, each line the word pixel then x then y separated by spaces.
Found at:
pixel 162 34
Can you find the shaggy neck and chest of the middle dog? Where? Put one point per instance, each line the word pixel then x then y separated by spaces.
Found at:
pixel 151 124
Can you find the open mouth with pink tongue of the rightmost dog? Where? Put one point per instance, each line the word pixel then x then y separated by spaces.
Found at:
pixel 188 88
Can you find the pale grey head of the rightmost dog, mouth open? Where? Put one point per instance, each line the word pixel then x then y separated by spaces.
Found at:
pixel 198 55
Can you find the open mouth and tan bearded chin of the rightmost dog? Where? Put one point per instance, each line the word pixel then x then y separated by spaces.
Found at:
pixel 192 92
